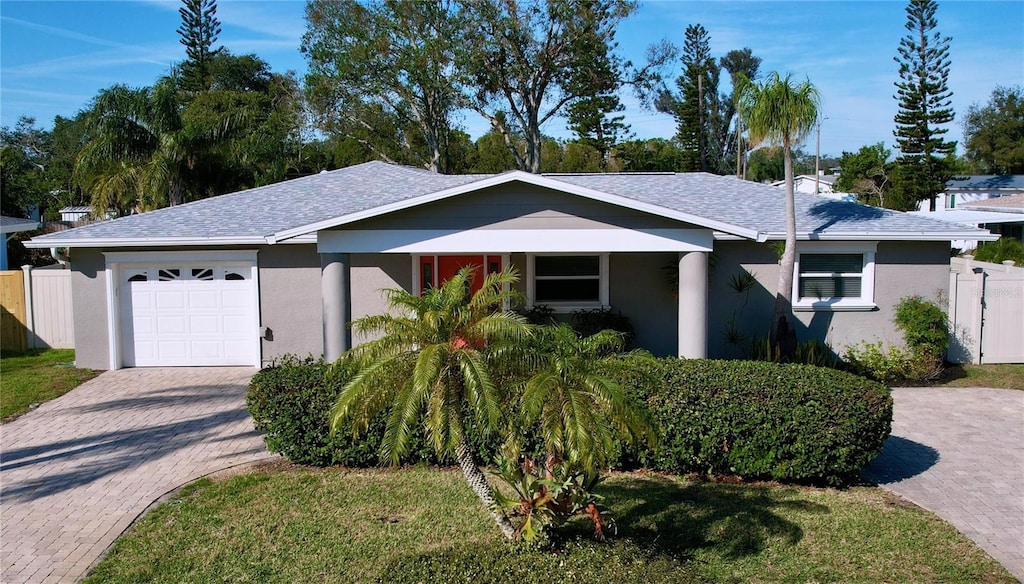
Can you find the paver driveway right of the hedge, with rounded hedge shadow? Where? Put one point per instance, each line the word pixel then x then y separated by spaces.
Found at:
pixel 960 453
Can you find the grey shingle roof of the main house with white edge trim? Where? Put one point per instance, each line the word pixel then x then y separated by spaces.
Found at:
pixel 303 206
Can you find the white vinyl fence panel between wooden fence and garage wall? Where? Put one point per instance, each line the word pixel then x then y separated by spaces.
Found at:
pixel 49 308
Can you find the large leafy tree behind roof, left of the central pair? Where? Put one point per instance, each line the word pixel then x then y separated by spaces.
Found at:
pixel 387 59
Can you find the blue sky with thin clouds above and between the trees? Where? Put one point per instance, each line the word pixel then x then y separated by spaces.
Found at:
pixel 55 57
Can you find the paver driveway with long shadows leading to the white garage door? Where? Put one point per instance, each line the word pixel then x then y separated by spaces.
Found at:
pixel 78 471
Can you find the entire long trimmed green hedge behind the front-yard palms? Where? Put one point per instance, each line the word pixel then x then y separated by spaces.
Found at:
pixel 755 420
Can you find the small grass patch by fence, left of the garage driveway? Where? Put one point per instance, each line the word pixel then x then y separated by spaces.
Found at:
pixel 35 377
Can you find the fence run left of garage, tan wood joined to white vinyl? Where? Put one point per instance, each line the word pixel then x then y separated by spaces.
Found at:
pixel 37 309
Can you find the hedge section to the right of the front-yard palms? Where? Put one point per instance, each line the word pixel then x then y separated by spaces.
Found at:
pixel 761 421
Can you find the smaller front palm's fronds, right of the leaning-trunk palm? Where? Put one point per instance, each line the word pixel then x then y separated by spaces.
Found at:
pixel 579 409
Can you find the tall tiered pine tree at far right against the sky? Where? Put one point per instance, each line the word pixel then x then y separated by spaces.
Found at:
pixel 924 99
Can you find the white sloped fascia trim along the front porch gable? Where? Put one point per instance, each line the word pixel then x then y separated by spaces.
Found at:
pixel 516 176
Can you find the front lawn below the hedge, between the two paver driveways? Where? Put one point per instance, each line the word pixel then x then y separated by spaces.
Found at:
pixel 288 524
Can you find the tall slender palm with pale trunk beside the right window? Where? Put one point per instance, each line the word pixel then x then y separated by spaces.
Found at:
pixel 782 112
